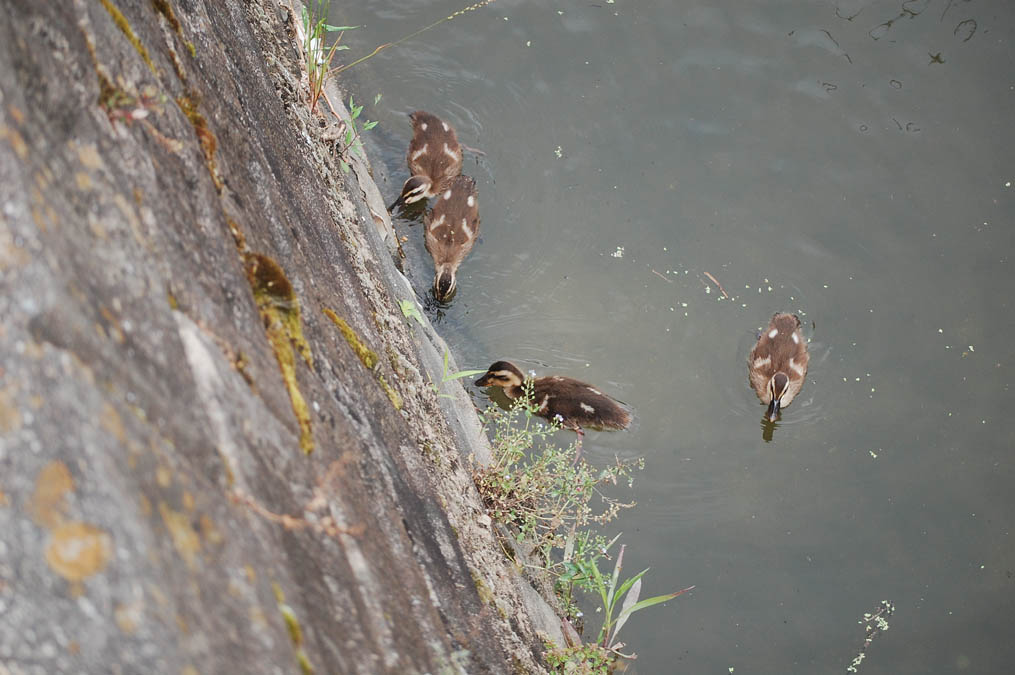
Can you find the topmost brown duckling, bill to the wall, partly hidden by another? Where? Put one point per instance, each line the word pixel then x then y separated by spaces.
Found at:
pixel 435 158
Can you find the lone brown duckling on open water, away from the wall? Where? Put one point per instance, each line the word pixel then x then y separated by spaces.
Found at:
pixel 778 364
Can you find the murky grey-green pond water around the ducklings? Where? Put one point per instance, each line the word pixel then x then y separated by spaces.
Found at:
pixel 660 178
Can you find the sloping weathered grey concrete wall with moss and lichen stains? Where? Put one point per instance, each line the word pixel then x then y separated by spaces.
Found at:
pixel 158 511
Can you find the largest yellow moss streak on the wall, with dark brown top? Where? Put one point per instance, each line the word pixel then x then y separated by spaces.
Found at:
pixel 280 309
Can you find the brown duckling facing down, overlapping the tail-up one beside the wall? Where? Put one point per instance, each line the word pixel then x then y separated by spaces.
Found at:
pixel 452 227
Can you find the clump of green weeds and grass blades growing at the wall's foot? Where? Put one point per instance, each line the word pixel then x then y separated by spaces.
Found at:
pixel 546 494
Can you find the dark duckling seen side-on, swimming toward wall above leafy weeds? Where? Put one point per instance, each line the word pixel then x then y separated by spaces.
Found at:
pixel 575 403
